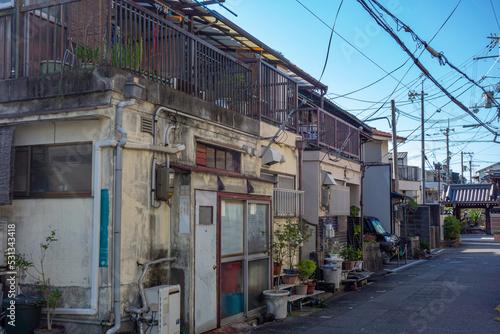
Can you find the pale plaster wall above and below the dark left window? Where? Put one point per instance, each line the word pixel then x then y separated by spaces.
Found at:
pixel 68 261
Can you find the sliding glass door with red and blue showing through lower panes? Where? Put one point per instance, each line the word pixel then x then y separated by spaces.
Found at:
pixel 244 269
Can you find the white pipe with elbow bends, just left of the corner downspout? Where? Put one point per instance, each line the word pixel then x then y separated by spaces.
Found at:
pixel 94 291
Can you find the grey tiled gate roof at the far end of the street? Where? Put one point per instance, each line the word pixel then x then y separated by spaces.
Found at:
pixel 467 194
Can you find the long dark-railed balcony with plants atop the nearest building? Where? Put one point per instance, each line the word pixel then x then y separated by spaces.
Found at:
pixel 73 34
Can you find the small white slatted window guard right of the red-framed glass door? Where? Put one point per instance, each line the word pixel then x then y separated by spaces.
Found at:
pixel 288 203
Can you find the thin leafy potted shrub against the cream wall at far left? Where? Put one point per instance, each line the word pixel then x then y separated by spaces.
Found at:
pixel 50 296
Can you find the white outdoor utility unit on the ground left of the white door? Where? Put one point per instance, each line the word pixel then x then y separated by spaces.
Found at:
pixel 164 302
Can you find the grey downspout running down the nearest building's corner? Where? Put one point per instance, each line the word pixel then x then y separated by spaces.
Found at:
pixel 117 213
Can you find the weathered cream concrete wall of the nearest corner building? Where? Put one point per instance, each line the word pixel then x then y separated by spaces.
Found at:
pixel 147 233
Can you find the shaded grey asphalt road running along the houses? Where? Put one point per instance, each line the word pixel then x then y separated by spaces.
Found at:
pixel 456 291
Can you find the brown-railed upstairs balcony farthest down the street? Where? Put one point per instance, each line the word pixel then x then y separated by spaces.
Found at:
pixel 321 128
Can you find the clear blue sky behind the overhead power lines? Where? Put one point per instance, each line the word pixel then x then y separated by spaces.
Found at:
pixel 365 53
